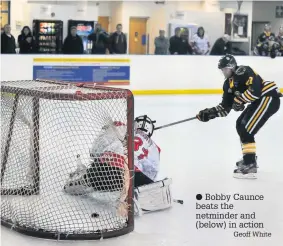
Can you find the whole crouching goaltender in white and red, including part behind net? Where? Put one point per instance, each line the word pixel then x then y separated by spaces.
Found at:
pixel 106 171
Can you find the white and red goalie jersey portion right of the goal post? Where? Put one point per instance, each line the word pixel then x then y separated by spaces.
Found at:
pixel 146 154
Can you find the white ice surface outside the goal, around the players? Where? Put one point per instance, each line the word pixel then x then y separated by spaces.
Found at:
pixel 200 158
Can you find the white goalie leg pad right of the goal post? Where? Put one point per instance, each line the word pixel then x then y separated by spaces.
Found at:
pixel 155 196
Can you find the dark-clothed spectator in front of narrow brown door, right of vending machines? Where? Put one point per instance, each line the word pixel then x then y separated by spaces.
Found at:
pixel 99 40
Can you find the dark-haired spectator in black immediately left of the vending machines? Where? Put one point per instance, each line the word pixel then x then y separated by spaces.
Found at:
pixel 26 41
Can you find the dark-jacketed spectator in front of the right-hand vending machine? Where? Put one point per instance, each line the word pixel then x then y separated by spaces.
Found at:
pixel 73 43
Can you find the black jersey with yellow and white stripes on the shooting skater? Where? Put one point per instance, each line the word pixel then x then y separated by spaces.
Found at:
pixel 250 85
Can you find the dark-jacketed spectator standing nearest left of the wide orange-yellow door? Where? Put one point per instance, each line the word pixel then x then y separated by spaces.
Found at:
pixel 118 41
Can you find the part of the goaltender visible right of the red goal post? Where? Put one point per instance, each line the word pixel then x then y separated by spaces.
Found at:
pixel 150 194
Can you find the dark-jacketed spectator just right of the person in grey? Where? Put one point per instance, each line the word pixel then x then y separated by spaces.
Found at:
pixel 179 45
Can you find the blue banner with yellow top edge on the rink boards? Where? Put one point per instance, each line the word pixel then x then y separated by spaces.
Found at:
pixel 78 70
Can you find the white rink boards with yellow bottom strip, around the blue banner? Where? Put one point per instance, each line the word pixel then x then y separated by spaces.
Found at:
pixel 155 75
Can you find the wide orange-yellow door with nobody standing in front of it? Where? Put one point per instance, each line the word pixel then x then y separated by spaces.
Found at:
pixel 137 36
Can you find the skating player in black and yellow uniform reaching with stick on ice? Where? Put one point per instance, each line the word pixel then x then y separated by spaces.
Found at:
pixel 244 86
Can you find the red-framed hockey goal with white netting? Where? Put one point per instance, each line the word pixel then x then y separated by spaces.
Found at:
pixel 44 126
